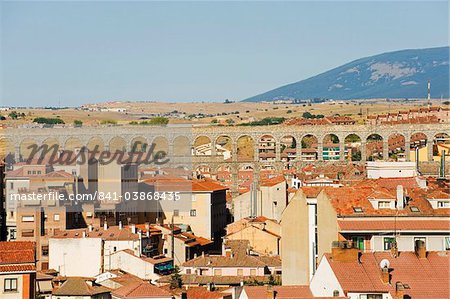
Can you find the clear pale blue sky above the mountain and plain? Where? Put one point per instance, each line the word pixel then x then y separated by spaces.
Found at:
pixel 72 53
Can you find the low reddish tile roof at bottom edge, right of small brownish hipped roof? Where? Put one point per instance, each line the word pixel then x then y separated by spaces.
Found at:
pixel 141 290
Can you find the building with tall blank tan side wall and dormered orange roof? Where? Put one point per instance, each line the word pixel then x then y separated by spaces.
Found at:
pixel 374 215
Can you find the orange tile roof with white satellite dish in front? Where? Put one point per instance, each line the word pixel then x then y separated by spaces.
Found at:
pixel 427 277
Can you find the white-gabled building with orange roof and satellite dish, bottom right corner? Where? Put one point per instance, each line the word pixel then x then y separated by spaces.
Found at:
pixel 382 275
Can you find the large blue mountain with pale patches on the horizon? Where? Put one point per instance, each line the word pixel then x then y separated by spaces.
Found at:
pixel 400 74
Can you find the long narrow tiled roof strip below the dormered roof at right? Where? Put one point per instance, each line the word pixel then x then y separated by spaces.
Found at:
pixel 391 225
